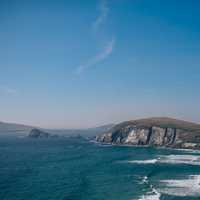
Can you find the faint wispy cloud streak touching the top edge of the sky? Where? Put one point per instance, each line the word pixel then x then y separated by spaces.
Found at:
pixel 102 16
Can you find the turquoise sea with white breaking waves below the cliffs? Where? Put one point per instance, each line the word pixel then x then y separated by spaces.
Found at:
pixel 76 169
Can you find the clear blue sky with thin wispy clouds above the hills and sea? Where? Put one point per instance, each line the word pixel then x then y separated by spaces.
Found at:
pixel 73 64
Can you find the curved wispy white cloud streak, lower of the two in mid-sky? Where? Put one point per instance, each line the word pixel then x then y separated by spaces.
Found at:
pixel 108 49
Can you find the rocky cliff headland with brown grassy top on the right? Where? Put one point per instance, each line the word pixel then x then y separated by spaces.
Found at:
pixel 162 132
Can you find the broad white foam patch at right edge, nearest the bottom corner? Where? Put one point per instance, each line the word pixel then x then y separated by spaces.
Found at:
pixel 182 187
